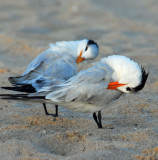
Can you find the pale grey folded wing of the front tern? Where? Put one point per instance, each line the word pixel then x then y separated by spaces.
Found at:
pixel 84 86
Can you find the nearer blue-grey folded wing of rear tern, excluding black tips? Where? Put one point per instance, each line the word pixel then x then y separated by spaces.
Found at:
pixel 51 72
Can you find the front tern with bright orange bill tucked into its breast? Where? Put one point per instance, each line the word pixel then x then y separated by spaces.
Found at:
pixel 93 89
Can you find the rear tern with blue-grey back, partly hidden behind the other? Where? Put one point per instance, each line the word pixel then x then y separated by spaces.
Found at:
pixel 54 66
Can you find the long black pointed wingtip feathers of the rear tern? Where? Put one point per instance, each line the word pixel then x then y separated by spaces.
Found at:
pixel 24 88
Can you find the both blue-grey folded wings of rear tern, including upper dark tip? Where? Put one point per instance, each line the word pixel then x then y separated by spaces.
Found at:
pixel 47 69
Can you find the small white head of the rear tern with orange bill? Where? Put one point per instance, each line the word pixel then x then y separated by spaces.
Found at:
pixel 88 49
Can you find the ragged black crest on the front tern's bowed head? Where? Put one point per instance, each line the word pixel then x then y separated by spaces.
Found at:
pixel 143 80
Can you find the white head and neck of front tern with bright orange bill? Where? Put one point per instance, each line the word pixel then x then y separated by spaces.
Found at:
pixel 128 76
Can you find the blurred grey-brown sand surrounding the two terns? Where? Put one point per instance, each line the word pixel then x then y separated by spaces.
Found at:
pixel 126 27
